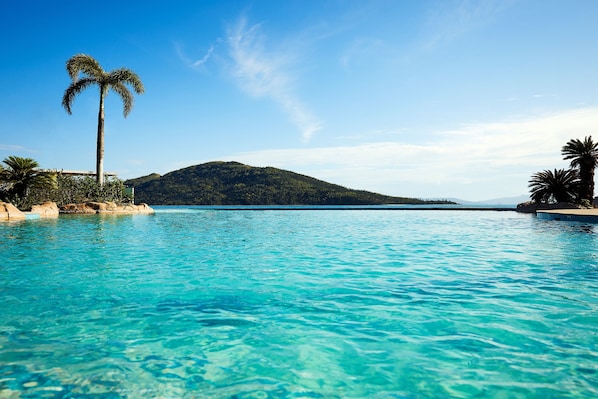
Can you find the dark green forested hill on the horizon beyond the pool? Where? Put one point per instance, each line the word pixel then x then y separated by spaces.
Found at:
pixel 232 183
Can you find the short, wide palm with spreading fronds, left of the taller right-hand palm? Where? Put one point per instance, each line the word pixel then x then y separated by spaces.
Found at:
pixel 558 186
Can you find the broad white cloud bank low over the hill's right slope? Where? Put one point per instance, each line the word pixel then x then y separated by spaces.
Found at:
pixel 475 161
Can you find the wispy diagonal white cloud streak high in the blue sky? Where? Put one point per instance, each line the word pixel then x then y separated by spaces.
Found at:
pixel 263 72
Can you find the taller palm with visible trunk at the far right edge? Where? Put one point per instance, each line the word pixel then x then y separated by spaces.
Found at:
pixel 584 156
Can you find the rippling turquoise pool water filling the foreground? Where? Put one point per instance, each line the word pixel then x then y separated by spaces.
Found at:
pixel 196 303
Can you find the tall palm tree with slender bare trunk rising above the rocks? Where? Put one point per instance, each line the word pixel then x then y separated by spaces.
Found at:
pixel 93 74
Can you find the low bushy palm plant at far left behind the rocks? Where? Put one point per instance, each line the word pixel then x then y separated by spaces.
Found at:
pixel 21 175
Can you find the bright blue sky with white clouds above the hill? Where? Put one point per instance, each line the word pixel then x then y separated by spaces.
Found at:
pixel 426 99
